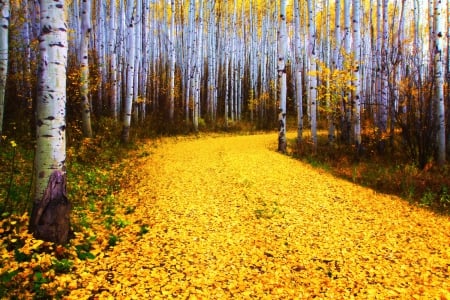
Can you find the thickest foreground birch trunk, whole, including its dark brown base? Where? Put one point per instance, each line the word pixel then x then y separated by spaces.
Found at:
pixel 51 209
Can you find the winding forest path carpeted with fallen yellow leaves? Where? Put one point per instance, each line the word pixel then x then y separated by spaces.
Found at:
pixel 223 217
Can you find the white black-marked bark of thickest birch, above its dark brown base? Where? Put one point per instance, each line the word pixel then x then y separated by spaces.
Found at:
pixel 51 100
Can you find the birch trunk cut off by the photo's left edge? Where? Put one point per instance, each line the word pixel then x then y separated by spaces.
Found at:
pixel 4 26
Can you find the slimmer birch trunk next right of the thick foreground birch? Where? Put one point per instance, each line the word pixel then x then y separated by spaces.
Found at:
pixel 84 84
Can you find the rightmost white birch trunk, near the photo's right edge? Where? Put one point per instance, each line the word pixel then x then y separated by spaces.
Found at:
pixel 439 76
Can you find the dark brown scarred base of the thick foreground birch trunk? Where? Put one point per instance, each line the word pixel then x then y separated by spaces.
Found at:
pixel 50 218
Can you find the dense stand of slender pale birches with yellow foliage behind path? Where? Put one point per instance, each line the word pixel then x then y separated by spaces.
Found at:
pixel 353 67
